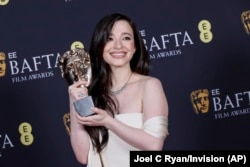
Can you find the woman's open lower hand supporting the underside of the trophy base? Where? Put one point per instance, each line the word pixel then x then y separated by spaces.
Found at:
pixel 100 118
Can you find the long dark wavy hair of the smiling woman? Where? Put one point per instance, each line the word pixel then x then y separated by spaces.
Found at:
pixel 100 85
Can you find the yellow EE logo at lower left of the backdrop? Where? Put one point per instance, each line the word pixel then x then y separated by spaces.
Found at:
pixel 26 137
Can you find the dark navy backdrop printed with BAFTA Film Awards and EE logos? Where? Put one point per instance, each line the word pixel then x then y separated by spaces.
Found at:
pixel 200 50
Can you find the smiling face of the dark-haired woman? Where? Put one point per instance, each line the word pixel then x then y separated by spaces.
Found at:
pixel 120 47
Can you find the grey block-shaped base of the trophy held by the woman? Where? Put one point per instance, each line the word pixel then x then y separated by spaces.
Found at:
pixel 83 106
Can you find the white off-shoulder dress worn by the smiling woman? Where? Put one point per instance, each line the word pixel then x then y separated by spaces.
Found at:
pixel 116 153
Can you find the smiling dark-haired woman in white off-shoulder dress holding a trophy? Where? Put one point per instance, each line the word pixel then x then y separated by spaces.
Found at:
pixel 131 109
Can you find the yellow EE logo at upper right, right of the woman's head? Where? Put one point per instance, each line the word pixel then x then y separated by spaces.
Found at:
pixel 206 35
